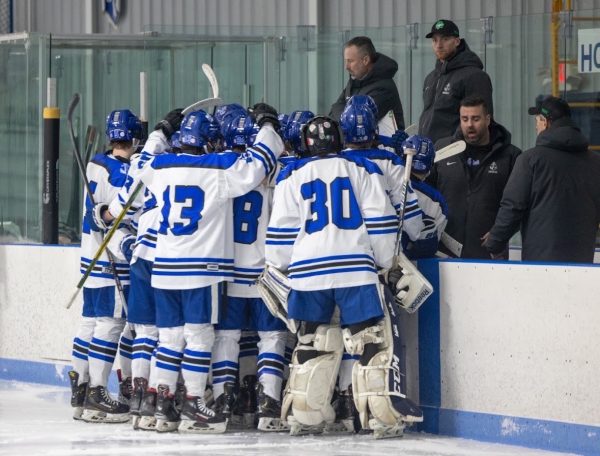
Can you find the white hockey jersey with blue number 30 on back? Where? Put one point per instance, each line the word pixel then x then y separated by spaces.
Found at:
pixel 332 223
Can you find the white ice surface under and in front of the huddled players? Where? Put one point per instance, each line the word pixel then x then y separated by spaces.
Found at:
pixel 36 420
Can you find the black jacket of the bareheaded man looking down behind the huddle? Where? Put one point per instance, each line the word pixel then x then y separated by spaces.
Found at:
pixel 379 85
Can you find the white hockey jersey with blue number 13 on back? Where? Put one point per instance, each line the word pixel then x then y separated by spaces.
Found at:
pixel 195 195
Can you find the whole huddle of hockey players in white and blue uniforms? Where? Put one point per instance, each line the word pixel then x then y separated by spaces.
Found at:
pixel 303 205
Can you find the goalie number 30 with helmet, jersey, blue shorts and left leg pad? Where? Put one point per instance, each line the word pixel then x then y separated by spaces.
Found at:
pixel 331 230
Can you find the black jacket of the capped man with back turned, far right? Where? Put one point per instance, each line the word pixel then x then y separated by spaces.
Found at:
pixel 554 195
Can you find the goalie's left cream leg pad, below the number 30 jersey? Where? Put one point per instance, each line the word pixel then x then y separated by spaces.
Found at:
pixel 313 374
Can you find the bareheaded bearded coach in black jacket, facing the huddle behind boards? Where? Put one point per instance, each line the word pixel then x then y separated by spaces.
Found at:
pixel 473 181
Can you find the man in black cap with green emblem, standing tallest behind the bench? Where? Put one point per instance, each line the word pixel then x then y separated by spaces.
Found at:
pixel 458 73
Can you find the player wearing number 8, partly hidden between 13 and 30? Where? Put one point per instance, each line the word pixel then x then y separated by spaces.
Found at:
pixel 244 309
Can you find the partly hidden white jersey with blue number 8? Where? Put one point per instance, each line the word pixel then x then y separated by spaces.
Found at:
pixel 250 219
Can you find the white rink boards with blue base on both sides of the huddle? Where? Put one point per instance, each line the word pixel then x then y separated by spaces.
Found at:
pixel 504 352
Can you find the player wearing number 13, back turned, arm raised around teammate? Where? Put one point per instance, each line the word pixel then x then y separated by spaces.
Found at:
pixel 194 255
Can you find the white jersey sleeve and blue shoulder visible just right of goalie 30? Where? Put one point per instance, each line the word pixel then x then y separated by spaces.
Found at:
pixel 393 171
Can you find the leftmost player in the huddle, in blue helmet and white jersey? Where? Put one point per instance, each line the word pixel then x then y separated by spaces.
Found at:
pixel 96 343
